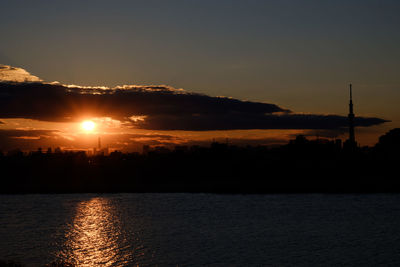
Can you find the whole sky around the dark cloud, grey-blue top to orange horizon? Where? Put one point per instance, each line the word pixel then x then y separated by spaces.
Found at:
pixel 296 55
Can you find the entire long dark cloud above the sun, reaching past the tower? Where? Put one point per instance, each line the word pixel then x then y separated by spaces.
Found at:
pixel 156 108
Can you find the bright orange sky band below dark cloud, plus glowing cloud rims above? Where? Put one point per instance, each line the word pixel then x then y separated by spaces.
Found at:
pixel 116 134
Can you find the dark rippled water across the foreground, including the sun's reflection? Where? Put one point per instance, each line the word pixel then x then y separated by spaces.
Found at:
pixel 201 229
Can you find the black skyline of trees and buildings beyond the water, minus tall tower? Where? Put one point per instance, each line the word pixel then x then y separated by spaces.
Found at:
pixel 302 165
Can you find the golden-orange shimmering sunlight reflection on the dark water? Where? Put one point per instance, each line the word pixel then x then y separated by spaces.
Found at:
pixel 95 237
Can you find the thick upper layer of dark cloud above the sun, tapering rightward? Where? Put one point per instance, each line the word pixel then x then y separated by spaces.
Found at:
pixel 55 102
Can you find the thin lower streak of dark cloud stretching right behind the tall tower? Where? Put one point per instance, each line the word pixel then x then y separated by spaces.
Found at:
pixel 229 121
